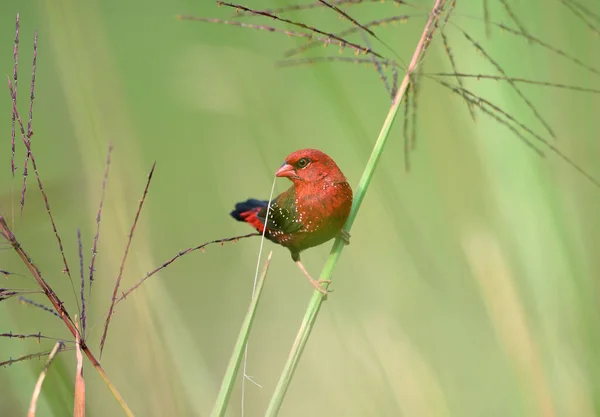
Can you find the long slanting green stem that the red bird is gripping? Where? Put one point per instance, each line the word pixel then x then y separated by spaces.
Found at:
pixel 317 299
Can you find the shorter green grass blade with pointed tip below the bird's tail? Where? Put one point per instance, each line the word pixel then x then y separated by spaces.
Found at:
pixel 233 367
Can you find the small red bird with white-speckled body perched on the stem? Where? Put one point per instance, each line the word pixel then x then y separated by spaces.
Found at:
pixel 311 212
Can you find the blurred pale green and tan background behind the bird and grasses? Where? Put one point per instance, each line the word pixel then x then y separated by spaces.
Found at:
pixel 470 286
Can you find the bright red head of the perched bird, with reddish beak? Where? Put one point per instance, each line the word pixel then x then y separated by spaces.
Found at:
pixel 310 165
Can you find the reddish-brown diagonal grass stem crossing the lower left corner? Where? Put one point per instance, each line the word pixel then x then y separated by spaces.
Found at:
pixel 59 308
